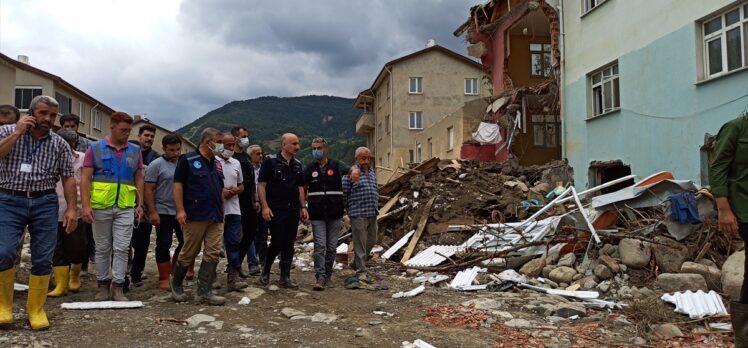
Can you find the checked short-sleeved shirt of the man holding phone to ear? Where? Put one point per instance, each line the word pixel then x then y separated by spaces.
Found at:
pixel 50 159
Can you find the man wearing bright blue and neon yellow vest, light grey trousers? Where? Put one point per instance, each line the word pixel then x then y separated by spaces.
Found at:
pixel 112 195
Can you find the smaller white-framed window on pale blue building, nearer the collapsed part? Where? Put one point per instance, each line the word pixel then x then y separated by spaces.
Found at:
pixel 614 79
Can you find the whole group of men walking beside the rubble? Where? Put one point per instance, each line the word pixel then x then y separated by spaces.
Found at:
pixel 76 196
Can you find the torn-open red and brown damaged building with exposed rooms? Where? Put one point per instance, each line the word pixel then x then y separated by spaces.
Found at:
pixel 517 42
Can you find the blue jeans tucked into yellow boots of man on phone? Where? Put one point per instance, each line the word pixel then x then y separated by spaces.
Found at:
pixel 40 215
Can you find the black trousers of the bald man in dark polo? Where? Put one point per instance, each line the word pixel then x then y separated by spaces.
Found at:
pixel 283 229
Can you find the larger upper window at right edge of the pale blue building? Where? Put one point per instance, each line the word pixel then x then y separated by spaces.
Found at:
pixel 721 34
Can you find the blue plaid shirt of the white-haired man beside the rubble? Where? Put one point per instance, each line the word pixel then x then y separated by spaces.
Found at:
pixel 362 197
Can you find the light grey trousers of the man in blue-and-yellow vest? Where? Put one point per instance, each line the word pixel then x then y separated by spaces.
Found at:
pixel 112 231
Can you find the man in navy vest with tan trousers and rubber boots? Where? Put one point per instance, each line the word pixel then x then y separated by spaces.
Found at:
pixel 198 196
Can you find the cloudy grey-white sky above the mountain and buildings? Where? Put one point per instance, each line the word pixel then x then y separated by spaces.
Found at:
pixel 175 60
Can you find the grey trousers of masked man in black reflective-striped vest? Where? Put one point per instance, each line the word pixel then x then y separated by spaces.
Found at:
pixel 326 234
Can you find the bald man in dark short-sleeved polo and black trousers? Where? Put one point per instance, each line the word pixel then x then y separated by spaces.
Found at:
pixel 281 192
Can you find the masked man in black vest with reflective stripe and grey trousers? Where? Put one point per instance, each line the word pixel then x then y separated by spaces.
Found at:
pixel 324 185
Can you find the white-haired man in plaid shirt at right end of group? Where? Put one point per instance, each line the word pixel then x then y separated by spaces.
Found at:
pixel 362 201
